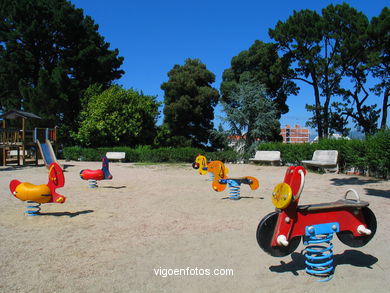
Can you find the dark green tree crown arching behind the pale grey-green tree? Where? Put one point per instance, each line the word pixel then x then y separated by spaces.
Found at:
pixel 260 63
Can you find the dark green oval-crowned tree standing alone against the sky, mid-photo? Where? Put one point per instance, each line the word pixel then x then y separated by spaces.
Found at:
pixel 189 102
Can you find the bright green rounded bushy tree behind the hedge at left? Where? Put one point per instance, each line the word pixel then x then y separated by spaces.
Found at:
pixel 117 117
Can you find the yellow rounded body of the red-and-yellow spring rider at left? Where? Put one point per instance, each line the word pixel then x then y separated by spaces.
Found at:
pixel 38 193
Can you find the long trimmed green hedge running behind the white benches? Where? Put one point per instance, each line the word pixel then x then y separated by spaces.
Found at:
pixel 370 157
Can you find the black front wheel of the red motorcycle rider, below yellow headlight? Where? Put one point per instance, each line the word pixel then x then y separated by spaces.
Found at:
pixel 264 234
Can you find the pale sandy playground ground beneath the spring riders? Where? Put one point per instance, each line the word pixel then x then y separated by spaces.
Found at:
pixel 153 218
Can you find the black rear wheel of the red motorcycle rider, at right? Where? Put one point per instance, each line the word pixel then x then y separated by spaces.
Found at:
pixel 347 237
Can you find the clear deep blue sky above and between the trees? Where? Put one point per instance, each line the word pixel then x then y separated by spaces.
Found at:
pixel 154 35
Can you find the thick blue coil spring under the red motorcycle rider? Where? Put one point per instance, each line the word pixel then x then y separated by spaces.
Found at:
pixel 319 256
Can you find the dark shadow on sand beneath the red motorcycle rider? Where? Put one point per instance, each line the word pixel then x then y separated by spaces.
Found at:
pixel 349 257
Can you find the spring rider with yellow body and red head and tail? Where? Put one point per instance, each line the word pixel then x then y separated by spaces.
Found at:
pixel 35 195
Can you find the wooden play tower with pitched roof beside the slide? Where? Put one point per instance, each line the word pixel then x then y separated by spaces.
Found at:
pixel 19 144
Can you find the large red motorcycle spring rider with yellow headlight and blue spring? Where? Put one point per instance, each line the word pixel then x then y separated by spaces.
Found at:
pixel 279 233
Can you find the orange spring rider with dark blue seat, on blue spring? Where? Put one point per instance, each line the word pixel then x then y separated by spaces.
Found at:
pixel 221 180
